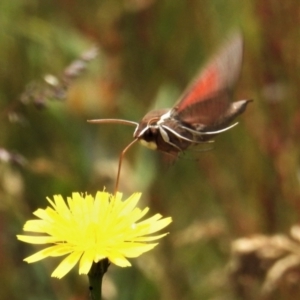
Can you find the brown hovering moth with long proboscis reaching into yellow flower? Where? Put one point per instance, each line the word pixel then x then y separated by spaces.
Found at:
pixel 203 111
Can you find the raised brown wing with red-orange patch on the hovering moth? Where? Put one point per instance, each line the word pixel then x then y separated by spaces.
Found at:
pixel 208 96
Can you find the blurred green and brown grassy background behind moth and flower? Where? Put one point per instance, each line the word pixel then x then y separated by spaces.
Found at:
pixel 227 204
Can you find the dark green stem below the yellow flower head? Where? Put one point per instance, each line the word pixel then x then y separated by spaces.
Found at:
pixel 95 278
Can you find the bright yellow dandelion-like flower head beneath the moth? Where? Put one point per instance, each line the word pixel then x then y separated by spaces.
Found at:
pixel 90 229
